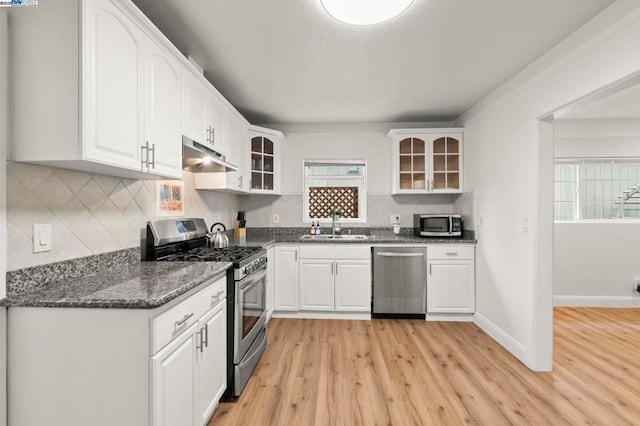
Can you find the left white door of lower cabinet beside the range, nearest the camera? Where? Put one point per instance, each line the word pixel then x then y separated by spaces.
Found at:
pixel 173 382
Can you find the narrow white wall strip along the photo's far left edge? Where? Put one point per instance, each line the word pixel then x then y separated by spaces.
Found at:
pixel 3 210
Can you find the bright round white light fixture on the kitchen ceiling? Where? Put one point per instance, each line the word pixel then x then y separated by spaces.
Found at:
pixel 365 12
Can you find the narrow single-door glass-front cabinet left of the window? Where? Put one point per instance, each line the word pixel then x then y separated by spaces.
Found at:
pixel 264 161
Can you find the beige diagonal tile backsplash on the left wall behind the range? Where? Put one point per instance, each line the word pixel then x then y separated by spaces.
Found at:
pixel 90 213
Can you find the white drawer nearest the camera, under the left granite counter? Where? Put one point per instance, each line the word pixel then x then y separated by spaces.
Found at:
pixel 168 325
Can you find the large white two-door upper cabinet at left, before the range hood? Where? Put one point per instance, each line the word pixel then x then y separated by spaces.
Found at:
pixel 105 100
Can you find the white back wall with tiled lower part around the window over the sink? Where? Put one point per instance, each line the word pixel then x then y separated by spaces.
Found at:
pixel 343 141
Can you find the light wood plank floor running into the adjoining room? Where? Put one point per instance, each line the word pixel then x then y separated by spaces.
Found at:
pixel 399 372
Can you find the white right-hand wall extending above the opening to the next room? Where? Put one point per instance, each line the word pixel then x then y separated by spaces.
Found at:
pixel 514 292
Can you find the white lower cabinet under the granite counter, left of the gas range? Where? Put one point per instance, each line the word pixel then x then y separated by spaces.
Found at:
pixel 125 367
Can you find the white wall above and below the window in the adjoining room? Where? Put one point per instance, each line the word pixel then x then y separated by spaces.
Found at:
pixel 595 264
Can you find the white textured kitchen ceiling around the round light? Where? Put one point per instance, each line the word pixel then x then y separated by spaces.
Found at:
pixel 287 61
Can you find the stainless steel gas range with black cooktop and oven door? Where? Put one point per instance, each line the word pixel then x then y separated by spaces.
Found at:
pixel 185 239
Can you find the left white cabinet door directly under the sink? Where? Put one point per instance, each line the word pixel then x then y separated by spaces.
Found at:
pixel 316 284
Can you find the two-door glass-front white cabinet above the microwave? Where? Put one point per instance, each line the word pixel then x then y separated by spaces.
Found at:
pixel 426 160
